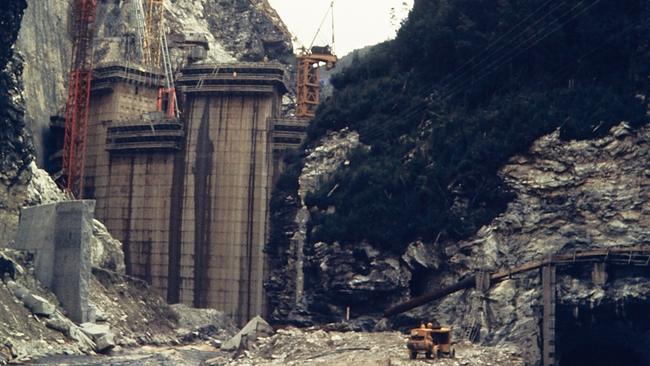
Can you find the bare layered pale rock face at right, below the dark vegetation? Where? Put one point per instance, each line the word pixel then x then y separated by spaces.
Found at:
pixel 570 195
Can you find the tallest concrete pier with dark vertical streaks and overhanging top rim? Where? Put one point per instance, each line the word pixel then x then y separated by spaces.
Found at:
pixel 227 174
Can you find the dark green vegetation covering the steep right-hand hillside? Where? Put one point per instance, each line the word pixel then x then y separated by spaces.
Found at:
pixel 439 128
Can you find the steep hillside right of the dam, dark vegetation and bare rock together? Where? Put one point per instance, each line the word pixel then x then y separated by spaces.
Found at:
pixel 481 159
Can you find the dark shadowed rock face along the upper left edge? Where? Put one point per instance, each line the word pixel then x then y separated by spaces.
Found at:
pixel 15 143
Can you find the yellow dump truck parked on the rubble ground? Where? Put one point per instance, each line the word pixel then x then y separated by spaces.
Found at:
pixel 432 341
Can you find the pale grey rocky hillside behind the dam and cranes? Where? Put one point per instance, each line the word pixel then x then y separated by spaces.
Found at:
pixel 236 30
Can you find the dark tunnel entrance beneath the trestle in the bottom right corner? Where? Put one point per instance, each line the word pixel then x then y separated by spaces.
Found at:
pixel 609 334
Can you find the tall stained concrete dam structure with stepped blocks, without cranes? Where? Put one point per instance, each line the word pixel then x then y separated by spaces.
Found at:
pixel 189 197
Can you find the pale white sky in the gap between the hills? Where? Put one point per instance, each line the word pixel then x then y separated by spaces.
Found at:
pixel 357 23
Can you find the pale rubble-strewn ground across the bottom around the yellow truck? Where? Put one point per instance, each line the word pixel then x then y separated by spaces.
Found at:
pixel 294 346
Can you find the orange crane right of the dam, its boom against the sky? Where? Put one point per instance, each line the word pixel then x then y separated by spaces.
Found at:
pixel 308 80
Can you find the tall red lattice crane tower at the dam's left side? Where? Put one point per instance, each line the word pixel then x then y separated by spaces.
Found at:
pixel 78 103
